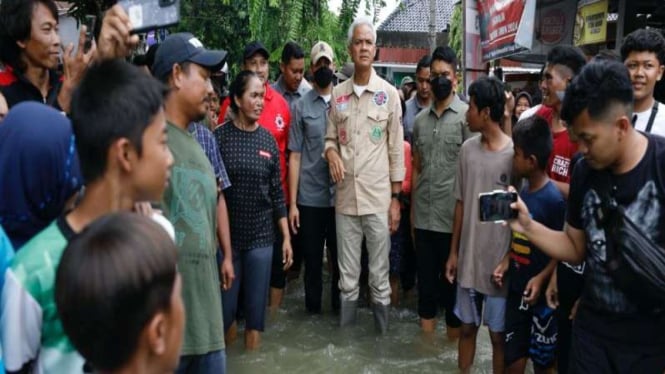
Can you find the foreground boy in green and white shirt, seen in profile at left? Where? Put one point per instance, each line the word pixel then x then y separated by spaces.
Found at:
pixel 120 130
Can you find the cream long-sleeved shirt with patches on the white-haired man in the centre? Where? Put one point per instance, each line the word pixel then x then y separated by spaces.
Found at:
pixel 367 132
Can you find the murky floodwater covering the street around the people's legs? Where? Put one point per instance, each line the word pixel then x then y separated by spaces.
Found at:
pixel 295 342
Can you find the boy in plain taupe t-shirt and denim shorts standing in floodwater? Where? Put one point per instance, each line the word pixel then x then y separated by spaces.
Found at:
pixel 477 249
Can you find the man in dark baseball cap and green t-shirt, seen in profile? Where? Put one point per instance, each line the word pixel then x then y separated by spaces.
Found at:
pixel 191 201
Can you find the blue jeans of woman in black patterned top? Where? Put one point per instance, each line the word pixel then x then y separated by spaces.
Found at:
pixel 252 268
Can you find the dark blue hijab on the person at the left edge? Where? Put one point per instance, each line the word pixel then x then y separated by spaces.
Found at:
pixel 40 169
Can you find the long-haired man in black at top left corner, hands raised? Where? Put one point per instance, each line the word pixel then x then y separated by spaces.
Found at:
pixel 30 50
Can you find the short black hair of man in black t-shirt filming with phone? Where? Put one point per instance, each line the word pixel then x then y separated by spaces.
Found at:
pixel 596 88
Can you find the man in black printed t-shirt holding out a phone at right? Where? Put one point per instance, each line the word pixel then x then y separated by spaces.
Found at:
pixel 611 333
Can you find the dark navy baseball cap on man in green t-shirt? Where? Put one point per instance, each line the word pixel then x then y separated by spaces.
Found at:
pixel 185 47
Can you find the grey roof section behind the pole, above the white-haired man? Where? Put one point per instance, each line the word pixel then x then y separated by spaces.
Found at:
pixel 413 16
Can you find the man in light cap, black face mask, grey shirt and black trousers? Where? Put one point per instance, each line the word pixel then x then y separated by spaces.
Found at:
pixel 312 212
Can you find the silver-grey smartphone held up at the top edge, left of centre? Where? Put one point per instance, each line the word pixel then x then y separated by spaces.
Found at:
pixel 151 14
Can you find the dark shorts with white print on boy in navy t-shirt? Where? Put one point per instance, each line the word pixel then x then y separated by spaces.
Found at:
pixel 531 332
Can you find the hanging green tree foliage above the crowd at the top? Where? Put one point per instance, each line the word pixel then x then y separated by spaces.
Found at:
pixel 230 24
